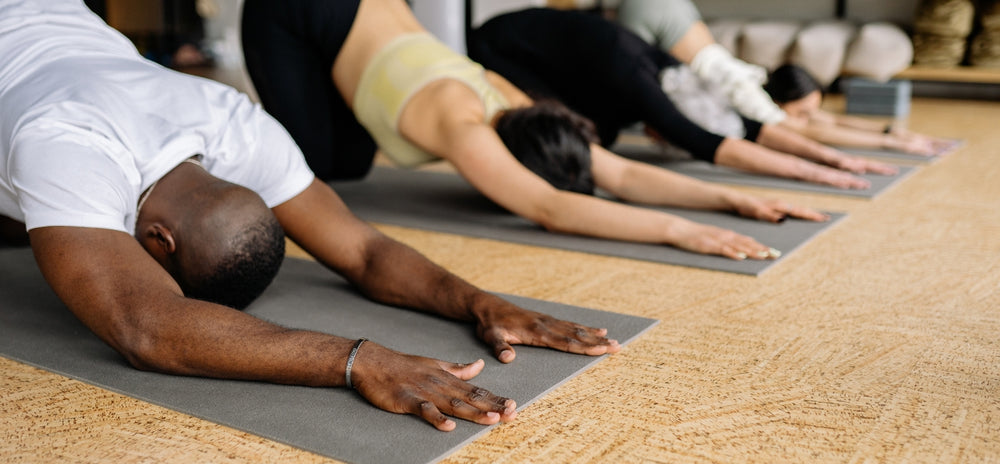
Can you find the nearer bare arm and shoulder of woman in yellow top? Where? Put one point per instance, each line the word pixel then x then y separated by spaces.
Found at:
pixel 457 132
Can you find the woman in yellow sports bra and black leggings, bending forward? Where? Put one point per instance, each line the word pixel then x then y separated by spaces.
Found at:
pixel 337 74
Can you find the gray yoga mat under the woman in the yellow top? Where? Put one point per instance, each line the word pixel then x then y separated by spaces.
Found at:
pixel 445 202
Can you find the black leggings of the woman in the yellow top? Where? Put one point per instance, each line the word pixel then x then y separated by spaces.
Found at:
pixel 290 47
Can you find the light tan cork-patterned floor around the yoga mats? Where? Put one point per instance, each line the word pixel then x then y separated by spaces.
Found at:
pixel 879 341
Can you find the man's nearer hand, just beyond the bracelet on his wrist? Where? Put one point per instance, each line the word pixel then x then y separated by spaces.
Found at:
pixel 425 387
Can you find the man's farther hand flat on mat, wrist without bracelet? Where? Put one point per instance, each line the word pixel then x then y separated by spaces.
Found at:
pixel 501 326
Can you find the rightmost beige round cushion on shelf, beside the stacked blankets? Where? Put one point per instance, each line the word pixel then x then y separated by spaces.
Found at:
pixel 879 51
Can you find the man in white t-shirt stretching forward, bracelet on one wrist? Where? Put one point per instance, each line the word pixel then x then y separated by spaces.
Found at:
pixel 157 206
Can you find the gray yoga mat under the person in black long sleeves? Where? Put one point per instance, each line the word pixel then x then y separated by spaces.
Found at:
pixel 721 174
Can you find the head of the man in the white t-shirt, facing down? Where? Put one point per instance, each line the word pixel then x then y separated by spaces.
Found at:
pixel 218 240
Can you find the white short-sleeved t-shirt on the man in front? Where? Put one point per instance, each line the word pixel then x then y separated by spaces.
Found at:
pixel 87 124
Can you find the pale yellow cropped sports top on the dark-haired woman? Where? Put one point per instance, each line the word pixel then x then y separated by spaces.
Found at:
pixel 399 71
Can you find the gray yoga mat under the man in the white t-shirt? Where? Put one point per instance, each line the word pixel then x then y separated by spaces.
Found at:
pixel 35 328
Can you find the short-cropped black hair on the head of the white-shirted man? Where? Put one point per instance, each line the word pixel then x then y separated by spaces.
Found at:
pixel 255 257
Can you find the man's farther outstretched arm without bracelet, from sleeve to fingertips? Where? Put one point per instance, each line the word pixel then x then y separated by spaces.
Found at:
pixel 392 273
